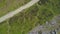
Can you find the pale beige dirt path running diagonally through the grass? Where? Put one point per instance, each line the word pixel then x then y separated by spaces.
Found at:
pixel 11 14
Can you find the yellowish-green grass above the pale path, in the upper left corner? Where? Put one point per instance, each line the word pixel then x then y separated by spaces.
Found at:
pixel 10 5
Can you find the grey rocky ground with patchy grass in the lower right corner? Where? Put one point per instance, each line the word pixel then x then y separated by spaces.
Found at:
pixel 50 26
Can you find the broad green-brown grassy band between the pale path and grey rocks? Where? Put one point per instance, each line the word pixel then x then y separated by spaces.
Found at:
pixel 23 22
